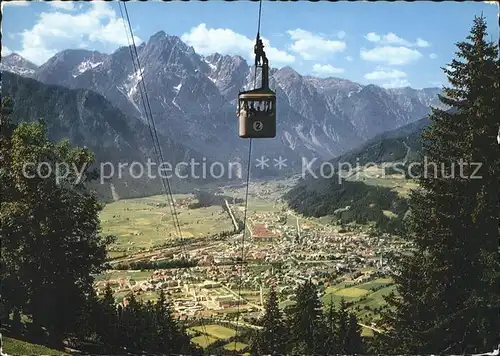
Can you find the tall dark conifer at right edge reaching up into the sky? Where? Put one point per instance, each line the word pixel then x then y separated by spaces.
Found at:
pixel 448 300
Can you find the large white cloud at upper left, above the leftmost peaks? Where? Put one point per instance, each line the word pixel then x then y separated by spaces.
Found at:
pixel 56 31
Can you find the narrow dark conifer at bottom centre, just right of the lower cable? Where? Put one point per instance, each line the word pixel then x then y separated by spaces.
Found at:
pixel 272 339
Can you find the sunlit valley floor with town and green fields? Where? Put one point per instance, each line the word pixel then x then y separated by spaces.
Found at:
pixel 280 246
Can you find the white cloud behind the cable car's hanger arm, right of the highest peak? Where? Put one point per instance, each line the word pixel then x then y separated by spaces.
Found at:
pixel 207 41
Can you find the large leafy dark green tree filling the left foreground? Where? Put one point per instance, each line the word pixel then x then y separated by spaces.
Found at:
pixel 49 227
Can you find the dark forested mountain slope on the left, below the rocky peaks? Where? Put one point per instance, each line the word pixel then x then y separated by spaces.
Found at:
pixel 88 119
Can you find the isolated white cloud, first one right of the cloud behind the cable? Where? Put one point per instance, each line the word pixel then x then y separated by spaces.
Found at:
pixel 310 46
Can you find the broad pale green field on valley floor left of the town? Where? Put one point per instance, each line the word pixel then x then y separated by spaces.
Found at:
pixel 144 223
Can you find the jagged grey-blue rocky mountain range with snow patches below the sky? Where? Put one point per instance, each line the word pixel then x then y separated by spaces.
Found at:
pixel 193 98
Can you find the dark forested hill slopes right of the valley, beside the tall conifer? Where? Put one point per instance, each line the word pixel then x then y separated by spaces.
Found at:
pixel 354 201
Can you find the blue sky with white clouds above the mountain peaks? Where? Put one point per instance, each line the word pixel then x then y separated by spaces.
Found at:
pixel 391 44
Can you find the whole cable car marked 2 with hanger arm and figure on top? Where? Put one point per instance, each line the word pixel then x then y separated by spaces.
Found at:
pixel 257 107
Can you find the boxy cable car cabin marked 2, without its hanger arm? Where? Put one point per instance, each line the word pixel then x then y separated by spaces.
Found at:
pixel 257 114
